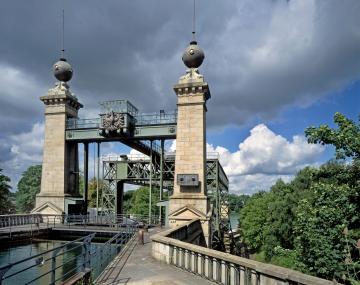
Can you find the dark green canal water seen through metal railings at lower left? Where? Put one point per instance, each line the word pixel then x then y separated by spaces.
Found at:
pixel 69 261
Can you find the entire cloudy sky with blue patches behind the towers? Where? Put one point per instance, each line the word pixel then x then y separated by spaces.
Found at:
pixel 274 67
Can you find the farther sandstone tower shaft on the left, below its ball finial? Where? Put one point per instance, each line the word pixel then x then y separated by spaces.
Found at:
pixel 60 170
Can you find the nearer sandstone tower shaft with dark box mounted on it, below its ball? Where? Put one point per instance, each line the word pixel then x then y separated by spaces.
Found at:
pixel 191 202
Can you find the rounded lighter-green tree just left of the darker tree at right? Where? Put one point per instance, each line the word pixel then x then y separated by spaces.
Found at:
pixel 273 226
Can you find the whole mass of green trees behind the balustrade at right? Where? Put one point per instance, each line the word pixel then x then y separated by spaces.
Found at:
pixel 312 224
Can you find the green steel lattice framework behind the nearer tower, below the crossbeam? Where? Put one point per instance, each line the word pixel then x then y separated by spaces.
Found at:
pixel 137 171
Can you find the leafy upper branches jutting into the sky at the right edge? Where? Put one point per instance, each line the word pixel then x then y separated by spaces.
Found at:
pixel 346 138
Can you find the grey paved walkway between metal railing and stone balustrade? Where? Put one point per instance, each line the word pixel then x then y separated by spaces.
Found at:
pixel 138 267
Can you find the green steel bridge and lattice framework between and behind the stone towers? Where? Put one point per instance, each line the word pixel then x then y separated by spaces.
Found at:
pixel 141 131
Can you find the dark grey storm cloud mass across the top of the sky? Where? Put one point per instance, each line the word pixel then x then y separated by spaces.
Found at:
pixel 260 55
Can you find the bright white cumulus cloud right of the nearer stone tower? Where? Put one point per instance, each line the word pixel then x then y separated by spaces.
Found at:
pixel 264 157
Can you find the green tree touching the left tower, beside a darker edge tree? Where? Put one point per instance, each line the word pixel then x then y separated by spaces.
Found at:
pixel 28 186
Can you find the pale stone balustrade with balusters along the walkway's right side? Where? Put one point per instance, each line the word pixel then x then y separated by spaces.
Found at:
pixel 219 267
